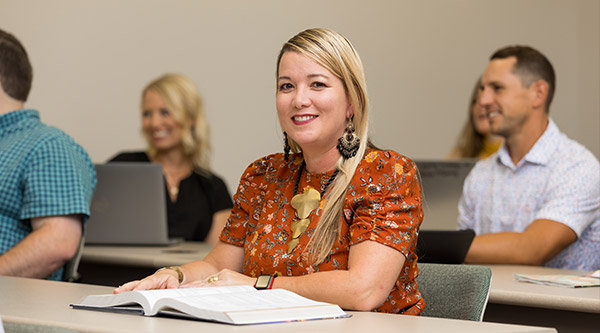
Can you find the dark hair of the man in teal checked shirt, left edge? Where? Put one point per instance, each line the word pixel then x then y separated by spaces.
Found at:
pixel 16 73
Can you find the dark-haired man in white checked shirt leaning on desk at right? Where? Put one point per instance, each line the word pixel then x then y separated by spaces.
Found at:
pixel 537 201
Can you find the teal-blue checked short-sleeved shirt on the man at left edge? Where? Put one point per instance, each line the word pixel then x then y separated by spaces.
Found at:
pixel 43 172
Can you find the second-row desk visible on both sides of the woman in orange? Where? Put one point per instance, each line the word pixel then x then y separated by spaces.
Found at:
pixel 568 309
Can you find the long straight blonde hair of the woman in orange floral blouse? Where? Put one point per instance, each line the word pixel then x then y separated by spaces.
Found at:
pixel 335 53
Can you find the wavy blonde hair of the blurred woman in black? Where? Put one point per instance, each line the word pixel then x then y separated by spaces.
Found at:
pixel 185 106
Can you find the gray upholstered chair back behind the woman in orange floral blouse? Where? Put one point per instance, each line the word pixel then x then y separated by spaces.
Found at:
pixel 454 291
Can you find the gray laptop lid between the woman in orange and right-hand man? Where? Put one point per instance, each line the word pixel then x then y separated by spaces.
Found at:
pixel 442 183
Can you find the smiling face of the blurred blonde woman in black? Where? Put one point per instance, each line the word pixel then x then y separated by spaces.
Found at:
pixel 161 130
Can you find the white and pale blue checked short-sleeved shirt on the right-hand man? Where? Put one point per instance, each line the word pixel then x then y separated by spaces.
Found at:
pixel 558 179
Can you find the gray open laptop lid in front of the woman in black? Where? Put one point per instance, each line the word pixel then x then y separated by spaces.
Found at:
pixel 128 206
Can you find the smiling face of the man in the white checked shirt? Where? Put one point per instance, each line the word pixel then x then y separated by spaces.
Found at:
pixel 507 103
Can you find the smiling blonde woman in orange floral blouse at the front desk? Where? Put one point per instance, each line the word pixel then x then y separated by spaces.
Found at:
pixel 332 218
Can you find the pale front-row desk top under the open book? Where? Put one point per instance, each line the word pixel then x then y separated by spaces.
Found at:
pixel 41 302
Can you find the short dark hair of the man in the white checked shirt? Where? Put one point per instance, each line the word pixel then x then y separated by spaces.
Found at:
pixel 531 66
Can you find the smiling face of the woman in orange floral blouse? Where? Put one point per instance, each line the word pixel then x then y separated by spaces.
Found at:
pixel 312 103
